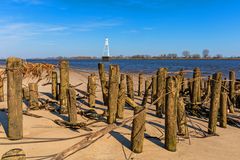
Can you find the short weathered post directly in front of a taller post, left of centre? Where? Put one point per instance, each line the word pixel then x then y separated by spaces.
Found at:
pixel 72 109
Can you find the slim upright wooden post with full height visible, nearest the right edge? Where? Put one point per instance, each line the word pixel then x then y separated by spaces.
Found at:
pixel 232 96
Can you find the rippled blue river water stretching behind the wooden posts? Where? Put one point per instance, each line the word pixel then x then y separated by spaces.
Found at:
pixel 150 66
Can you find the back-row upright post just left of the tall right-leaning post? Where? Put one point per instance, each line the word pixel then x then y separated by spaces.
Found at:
pixel 196 89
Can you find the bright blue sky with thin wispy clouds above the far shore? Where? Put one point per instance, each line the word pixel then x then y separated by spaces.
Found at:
pixel 46 28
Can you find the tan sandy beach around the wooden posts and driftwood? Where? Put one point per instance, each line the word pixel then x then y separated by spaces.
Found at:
pixel 43 138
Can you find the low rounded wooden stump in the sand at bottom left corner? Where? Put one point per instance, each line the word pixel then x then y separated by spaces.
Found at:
pixel 14 154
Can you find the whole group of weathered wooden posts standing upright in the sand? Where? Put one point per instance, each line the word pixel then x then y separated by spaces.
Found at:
pixel 166 93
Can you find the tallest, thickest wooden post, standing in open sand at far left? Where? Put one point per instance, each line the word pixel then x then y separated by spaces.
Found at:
pixel 14 98
